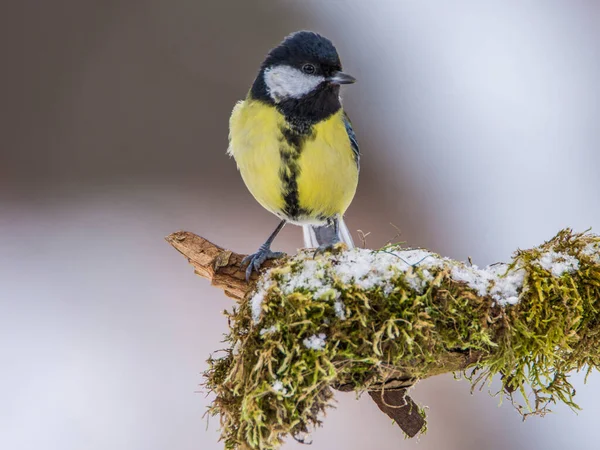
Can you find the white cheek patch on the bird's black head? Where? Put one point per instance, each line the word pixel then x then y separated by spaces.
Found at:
pixel 286 81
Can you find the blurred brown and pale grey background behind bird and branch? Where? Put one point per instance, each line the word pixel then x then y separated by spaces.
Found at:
pixel 478 124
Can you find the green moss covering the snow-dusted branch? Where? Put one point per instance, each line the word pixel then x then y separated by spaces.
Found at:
pixel 270 385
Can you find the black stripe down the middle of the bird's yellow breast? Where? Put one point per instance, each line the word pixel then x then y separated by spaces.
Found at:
pixel 293 138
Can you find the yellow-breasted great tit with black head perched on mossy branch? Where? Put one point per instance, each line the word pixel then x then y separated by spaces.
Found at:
pixel 294 144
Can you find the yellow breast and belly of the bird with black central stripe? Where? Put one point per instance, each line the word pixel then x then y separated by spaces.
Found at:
pixel 304 181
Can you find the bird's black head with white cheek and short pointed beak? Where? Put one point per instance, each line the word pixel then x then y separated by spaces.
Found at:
pixel 304 65
